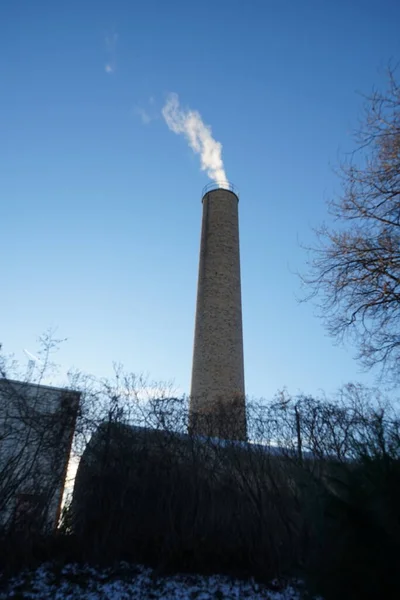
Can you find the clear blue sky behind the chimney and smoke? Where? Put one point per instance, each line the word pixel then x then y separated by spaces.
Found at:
pixel 100 201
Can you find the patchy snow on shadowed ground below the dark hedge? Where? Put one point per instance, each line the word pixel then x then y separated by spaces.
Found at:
pixel 129 582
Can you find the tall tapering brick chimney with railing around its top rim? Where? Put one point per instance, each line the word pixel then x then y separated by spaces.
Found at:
pixel 217 404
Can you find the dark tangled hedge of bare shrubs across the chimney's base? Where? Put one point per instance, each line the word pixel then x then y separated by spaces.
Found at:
pixel 316 493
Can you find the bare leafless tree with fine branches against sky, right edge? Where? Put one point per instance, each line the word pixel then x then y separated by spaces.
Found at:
pixel 355 268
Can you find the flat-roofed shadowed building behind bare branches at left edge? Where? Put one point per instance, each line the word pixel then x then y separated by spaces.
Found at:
pixel 37 424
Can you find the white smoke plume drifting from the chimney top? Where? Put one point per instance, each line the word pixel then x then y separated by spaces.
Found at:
pixel 190 124
